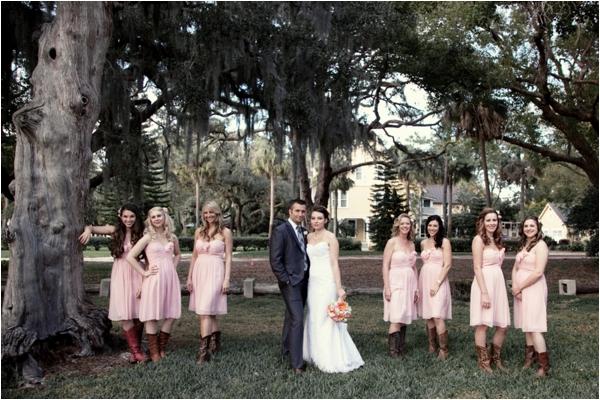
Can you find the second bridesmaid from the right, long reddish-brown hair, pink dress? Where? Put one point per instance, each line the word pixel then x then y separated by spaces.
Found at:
pixel 489 301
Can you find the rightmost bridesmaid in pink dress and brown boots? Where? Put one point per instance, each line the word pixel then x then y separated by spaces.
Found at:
pixel 530 293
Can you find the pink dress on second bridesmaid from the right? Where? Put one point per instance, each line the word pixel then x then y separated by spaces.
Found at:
pixel 498 314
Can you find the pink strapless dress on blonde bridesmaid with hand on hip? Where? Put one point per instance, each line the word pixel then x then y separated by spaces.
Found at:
pixel 161 293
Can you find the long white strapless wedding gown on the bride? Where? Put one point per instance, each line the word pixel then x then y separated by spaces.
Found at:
pixel 327 344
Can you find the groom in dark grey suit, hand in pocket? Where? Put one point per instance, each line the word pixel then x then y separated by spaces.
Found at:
pixel 289 262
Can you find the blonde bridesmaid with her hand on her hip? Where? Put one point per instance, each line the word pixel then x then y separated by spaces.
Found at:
pixel 161 290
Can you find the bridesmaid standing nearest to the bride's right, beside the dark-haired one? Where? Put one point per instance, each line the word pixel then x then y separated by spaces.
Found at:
pixel 400 287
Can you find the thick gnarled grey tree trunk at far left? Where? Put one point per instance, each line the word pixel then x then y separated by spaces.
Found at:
pixel 44 296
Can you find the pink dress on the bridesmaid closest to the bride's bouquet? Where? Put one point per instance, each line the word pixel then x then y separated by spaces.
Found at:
pixel 403 284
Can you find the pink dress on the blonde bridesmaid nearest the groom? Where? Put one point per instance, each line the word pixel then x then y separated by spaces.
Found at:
pixel 207 277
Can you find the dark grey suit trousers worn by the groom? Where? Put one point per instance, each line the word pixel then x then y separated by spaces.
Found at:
pixel 293 324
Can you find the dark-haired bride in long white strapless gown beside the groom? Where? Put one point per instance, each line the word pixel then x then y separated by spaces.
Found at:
pixel 327 344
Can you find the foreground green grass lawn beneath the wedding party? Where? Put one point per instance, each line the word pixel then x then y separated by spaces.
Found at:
pixel 250 366
